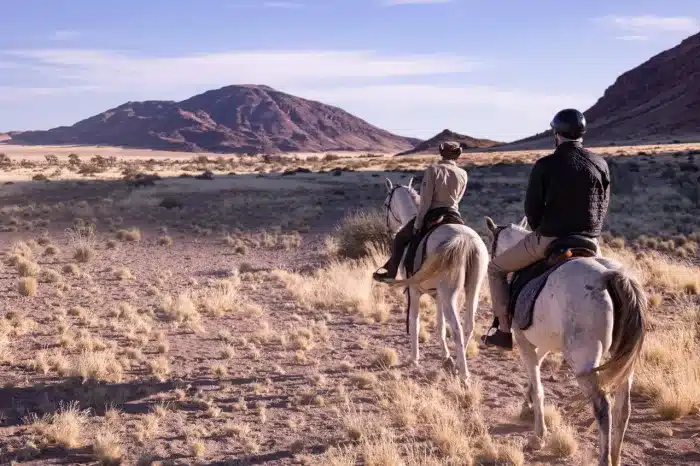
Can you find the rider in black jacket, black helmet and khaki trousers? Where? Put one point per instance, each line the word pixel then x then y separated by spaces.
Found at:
pixel 568 193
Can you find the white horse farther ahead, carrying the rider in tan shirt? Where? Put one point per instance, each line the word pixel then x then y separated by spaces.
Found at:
pixel 456 258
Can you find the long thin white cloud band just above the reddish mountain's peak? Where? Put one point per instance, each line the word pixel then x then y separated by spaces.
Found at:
pixel 114 71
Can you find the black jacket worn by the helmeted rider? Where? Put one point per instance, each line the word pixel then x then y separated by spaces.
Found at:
pixel 568 192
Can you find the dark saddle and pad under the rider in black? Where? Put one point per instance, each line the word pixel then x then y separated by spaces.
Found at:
pixel 526 284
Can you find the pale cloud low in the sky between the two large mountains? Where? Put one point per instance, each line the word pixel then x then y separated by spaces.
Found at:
pixel 423 109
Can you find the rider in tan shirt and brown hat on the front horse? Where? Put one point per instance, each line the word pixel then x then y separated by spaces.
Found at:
pixel 441 191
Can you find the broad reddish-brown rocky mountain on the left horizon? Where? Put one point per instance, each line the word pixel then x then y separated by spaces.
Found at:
pixel 232 119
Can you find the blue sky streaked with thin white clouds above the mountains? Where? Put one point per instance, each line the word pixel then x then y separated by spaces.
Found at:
pixel 496 69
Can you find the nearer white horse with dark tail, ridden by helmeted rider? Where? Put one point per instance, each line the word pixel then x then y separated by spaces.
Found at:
pixel 589 307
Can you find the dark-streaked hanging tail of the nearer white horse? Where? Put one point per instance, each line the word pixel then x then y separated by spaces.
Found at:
pixel 629 328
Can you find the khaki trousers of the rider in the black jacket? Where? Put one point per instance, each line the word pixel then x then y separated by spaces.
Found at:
pixel 527 251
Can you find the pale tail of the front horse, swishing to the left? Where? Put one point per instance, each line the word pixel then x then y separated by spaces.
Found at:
pixel 449 258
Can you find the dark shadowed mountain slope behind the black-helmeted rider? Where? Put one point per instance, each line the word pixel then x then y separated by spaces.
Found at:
pixel 658 101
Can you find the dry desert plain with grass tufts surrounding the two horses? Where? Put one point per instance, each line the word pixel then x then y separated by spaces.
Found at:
pixel 231 318
